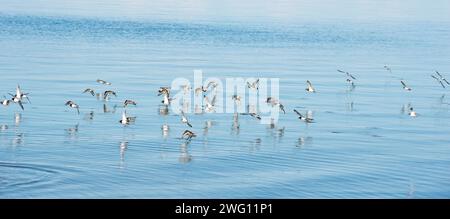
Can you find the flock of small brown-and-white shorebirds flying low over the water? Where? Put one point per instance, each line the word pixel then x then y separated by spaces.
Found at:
pixel 208 92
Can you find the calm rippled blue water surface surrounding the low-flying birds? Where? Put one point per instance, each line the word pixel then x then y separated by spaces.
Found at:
pixel 361 146
